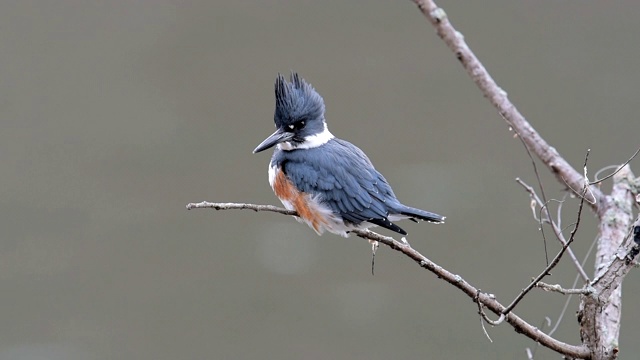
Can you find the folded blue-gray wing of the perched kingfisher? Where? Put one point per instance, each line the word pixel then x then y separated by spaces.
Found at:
pixel 345 180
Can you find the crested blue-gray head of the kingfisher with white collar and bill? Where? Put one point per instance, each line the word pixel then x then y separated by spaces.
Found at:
pixel 299 116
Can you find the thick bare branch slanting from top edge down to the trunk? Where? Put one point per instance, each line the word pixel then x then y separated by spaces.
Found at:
pixel 550 157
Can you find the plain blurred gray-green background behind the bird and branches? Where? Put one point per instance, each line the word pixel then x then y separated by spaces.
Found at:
pixel 115 114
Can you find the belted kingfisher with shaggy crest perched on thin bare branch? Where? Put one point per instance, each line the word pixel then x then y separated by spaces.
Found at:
pixel 329 182
